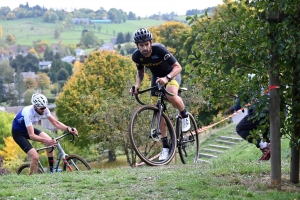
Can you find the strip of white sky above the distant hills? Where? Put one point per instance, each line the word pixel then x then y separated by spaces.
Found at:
pixel 140 8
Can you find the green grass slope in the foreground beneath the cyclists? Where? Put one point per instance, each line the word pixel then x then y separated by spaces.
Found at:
pixel 234 175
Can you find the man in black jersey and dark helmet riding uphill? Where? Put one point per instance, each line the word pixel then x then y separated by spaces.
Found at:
pixel 165 70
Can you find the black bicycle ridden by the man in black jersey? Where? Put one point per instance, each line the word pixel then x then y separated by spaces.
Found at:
pixel 146 126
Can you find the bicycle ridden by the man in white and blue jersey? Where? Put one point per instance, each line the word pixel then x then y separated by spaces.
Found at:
pixel 69 162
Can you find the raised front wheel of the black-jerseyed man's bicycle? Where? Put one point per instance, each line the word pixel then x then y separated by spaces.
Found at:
pixel 144 138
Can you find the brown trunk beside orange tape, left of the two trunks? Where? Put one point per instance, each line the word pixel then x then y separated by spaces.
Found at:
pixel 275 120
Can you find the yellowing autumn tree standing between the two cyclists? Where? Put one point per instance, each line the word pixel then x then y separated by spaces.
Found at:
pixel 87 97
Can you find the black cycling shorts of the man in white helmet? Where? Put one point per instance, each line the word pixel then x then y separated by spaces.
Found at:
pixel 21 138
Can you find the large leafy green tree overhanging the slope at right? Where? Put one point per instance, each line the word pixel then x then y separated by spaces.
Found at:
pixel 250 38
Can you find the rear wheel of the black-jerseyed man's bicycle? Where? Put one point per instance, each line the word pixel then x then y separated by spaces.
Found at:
pixel 188 143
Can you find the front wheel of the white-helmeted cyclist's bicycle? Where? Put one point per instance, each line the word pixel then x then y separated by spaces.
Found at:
pixel 76 163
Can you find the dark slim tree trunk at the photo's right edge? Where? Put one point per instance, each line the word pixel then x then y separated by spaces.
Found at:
pixel 294 174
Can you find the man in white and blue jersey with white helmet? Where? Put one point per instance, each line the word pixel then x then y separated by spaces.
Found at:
pixel 23 130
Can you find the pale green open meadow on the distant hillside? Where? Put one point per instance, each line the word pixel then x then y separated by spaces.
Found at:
pixel 32 29
